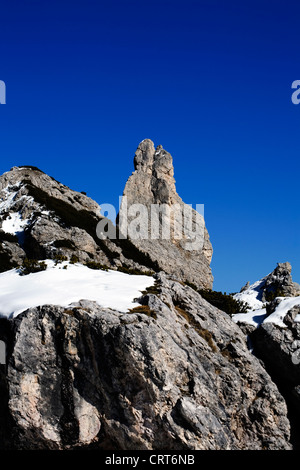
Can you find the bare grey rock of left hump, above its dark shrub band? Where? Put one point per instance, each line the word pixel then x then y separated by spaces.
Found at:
pixel 42 207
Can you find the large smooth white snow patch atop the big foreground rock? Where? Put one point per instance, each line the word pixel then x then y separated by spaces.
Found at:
pixel 58 286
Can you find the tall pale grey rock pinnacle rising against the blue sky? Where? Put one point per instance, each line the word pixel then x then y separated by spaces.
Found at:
pixel 152 183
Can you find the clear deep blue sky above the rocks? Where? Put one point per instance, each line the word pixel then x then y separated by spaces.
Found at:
pixel 209 80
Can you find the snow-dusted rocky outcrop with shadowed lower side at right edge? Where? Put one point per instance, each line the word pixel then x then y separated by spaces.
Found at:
pixel 273 330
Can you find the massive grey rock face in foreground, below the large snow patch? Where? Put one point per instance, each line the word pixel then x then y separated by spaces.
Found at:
pixel 173 374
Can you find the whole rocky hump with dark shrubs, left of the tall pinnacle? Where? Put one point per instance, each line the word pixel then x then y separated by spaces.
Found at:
pixel 54 220
